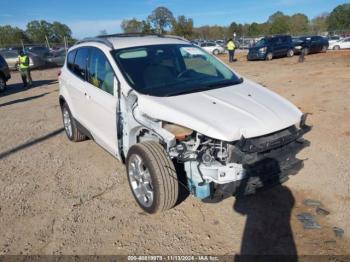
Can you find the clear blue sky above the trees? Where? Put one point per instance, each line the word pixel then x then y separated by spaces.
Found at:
pixel 88 18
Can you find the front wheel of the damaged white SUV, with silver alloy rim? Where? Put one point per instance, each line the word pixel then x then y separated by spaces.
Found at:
pixel 152 177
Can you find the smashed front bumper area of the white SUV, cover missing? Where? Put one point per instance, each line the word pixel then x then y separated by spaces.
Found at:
pixel 252 164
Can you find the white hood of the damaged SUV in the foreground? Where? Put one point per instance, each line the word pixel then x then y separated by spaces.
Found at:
pixel 228 113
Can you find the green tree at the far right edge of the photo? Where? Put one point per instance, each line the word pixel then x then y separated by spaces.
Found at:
pixel 339 18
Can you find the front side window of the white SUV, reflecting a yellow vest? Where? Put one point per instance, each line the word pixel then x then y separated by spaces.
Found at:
pixel 100 72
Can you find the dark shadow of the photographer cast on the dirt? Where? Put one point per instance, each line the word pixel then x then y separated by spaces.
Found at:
pixel 267 230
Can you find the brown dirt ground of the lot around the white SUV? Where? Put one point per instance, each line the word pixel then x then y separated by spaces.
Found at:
pixel 59 197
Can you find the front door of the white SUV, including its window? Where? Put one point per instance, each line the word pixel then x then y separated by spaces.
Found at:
pixel 102 101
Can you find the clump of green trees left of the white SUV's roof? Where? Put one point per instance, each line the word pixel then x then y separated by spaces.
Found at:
pixel 36 32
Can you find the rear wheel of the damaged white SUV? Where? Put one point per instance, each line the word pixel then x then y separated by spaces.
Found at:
pixel 70 126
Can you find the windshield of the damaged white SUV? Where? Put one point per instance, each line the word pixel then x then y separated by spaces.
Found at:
pixel 167 70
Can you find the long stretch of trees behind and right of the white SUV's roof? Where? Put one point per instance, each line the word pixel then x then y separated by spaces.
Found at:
pixel 162 20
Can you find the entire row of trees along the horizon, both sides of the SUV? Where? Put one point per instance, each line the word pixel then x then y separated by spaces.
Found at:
pixel 163 21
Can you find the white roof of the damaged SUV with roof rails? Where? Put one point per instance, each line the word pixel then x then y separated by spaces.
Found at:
pixel 119 41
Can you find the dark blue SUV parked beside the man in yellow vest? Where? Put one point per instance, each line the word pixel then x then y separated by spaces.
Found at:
pixel 269 47
